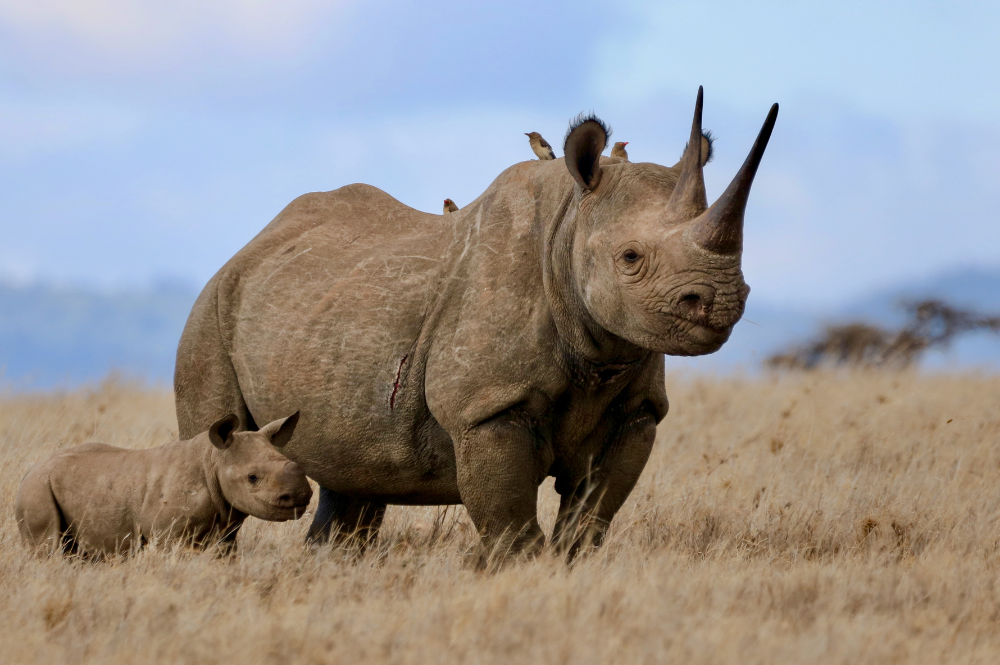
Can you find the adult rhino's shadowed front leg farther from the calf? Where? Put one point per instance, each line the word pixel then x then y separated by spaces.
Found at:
pixel 592 494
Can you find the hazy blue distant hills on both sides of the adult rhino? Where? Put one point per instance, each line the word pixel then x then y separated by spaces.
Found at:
pixel 63 336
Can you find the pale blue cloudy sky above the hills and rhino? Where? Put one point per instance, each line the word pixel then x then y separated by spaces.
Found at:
pixel 146 140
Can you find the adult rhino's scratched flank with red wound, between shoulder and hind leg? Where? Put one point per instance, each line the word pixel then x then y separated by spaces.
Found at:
pixel 324 312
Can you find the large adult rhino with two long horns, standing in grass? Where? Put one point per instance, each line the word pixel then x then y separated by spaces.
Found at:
pixel 463 358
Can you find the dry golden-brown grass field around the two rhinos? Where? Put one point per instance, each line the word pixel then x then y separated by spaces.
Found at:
pixel 798 518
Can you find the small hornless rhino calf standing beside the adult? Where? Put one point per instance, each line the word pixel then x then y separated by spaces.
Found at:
pixel 96 499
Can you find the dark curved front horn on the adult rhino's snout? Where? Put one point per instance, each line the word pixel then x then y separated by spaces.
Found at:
pixel 720 228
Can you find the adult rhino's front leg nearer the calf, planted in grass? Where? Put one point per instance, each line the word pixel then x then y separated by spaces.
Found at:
pixel 500 466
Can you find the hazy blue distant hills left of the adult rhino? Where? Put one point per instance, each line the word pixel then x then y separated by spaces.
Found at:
pixel 63 336
